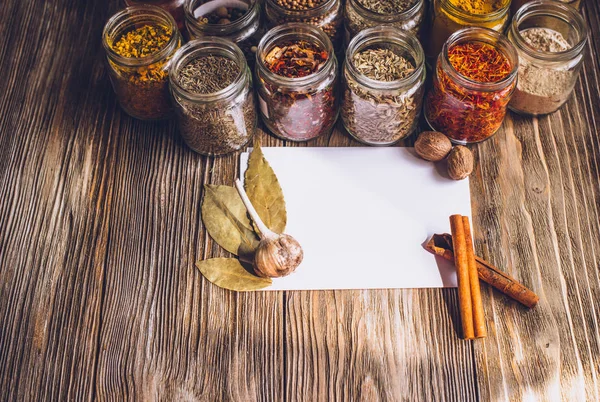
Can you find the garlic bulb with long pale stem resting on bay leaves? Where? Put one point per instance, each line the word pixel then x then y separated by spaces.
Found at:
pixel 277 254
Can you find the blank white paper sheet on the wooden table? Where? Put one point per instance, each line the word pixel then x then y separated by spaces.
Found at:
pixel 362 216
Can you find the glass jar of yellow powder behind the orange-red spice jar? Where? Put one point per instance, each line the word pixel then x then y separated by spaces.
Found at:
pixel 448 18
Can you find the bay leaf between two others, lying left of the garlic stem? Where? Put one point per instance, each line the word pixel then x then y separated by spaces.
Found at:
pixel 226 221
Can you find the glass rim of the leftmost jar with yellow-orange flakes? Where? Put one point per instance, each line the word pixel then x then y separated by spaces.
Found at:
pixel 116 22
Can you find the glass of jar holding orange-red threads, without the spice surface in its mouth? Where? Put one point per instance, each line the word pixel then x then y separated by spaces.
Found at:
pixel 469 111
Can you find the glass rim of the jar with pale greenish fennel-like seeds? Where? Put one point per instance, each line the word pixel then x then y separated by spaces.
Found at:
pixel 388 34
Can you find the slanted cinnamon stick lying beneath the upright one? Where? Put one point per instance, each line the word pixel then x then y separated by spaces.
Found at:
pixel 441 245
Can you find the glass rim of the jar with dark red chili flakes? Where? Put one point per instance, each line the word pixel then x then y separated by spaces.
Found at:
pixel 275 34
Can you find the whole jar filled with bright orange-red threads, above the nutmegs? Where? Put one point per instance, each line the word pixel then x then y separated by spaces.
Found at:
pixel 475 77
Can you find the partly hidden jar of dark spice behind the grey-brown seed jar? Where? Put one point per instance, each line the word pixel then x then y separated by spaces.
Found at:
pixel 236 20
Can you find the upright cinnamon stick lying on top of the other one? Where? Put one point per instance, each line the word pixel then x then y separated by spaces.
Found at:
pixel 462 270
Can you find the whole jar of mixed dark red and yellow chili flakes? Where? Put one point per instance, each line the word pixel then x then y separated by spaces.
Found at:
pixel 296 72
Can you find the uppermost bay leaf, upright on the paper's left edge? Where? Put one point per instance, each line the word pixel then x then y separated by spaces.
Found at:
pixel 264 191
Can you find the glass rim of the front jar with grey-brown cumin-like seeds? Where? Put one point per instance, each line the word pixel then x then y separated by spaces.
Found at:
pixel 185 54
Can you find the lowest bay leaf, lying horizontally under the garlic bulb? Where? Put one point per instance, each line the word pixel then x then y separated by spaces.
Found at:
pixel 229 273
